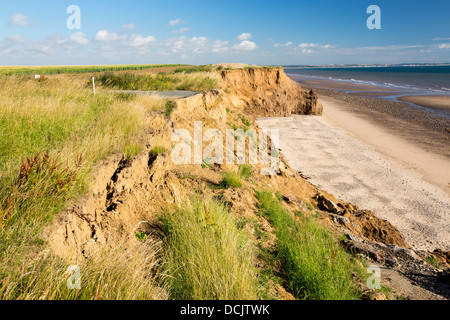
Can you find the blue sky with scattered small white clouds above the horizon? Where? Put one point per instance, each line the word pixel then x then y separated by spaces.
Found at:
pixel 203 32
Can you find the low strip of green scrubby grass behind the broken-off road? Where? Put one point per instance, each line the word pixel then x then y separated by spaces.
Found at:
pixel 192 81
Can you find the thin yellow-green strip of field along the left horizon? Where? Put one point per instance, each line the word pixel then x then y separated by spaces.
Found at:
pixel 48 70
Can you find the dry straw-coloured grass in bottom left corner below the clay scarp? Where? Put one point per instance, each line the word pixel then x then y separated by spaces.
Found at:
pixel 121 273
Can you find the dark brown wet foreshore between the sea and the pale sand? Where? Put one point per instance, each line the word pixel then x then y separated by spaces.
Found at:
pixel 423 120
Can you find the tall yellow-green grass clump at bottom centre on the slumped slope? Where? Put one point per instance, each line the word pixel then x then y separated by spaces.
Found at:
pixel 208 257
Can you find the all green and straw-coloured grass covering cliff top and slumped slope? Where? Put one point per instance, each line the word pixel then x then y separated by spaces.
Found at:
pixel 55 132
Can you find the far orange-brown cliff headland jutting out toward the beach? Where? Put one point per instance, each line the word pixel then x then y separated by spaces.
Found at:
pixel 269 92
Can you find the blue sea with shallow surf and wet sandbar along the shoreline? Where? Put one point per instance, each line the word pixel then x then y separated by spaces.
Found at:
pixel 426 87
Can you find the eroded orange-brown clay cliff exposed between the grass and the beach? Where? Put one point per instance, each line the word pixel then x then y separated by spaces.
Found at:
pixel 127 195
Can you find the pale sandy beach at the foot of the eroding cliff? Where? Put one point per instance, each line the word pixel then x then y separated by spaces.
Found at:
pixel 359 161
